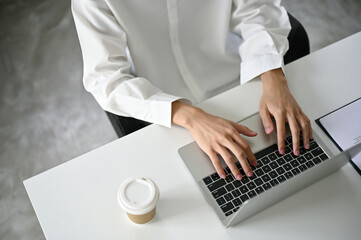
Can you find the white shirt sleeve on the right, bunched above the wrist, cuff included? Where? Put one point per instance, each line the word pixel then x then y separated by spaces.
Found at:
pixel 264 25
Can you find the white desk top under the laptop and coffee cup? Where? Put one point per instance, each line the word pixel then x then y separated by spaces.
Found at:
pixel 77 200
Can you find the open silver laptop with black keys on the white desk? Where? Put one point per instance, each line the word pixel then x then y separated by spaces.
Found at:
pixel 275 177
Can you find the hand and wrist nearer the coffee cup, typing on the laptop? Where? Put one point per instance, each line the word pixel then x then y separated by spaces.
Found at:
pixel 215 135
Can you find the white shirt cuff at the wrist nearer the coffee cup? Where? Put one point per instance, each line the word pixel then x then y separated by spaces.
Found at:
pixel 161 105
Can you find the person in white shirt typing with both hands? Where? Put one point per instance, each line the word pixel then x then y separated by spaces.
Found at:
pixel 193 50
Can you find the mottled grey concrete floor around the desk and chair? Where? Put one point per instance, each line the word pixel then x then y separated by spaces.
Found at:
pixel 47 118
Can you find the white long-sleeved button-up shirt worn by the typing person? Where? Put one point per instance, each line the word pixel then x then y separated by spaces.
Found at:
pixel 181 49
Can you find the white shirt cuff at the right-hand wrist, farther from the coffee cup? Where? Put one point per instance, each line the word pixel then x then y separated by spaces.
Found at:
pixel 255 67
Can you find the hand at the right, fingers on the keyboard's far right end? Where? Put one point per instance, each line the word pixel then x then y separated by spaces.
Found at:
pixel 277 101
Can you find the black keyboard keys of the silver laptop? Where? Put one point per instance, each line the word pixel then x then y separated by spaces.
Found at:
pixel 272 169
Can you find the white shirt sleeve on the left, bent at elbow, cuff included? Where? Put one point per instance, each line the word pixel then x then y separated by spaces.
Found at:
pixel 106 69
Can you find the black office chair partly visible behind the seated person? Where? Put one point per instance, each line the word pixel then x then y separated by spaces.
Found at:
pixel 299 46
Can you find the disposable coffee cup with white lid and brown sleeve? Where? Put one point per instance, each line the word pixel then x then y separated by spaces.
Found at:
pixel 138 196
